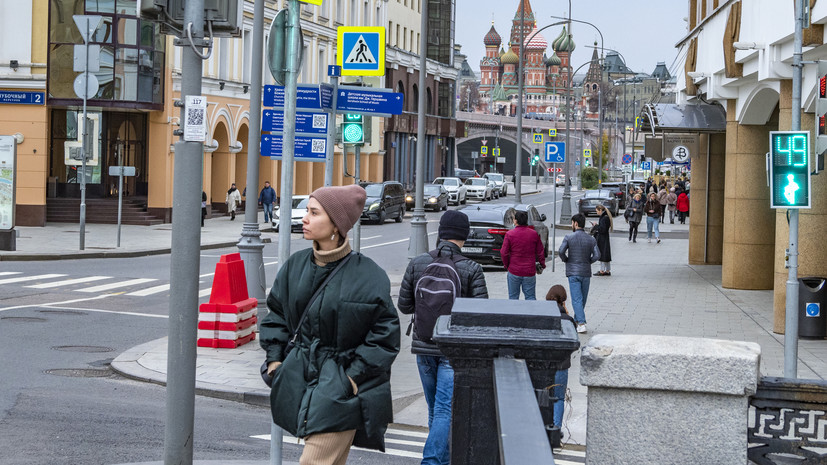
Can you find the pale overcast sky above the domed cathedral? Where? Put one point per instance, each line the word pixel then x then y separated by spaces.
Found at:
pixel 643 31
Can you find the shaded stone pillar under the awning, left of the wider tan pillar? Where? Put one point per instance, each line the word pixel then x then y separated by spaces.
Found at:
pixel 712 152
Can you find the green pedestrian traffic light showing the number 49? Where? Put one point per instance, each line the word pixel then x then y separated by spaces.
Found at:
pixel 789 169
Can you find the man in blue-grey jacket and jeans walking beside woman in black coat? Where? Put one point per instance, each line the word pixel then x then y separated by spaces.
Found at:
pixel 578 251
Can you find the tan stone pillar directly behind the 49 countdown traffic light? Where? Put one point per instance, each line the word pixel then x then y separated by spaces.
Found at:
pixel 812 224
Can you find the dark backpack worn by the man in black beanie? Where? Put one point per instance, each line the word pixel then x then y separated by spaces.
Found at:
pixel 435 292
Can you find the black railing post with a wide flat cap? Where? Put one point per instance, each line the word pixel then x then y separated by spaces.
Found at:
pixel 477 332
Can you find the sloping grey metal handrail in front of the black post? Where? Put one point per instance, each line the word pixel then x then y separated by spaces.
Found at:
pixel 523 437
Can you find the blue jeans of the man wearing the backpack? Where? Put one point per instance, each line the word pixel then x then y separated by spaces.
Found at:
pixel 437 378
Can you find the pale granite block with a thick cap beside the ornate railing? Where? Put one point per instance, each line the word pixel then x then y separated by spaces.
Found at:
pixel 668 400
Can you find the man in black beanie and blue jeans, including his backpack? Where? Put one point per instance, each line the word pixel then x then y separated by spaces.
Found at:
pixel 435 371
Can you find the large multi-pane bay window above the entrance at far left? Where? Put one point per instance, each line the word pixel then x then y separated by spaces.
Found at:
pixel 131 56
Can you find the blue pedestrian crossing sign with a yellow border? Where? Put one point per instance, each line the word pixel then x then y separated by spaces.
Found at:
pixel 361 51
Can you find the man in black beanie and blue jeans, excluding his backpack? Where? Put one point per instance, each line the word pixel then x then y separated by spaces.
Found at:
pixel 435 371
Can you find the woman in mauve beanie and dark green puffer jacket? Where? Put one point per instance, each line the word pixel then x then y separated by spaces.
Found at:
pixel 333 387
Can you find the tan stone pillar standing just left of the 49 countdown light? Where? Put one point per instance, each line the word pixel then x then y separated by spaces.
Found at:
pixel 749 224
